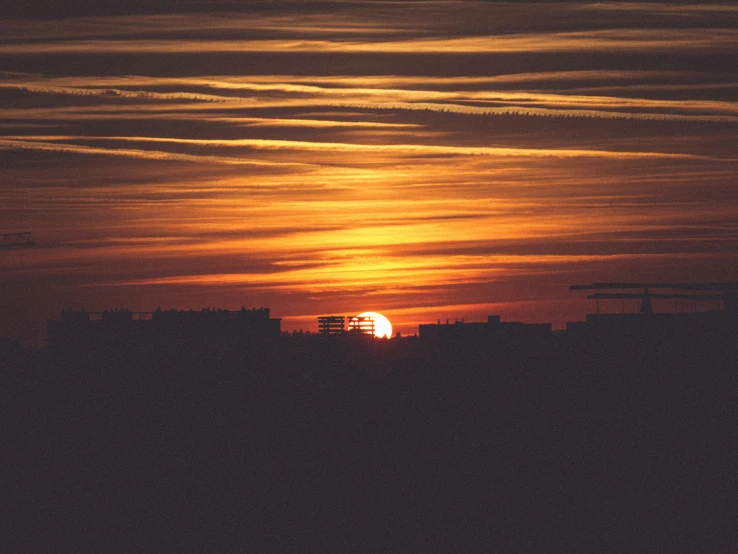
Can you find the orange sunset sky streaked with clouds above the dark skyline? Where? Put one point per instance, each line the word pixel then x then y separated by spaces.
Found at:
pixel 426 159
